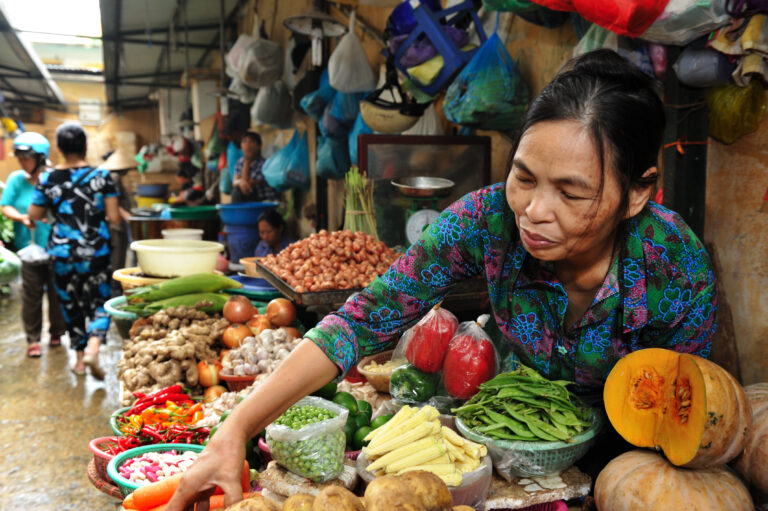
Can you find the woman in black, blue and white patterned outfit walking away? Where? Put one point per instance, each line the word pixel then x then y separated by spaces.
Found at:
pixel 82 200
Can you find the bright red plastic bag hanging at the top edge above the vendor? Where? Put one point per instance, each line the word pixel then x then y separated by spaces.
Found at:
pixel 629 17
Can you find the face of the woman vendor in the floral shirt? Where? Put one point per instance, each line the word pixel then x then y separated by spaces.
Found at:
pixel 553 189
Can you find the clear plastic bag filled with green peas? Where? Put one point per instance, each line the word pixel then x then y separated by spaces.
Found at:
pixel 315 451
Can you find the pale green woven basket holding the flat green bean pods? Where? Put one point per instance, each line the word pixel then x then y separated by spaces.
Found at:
pixel 525 459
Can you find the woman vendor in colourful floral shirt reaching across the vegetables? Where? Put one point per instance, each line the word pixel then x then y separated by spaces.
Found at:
pixel 581 268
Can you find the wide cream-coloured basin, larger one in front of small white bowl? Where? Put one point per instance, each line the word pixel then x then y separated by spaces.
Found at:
pixel 176 258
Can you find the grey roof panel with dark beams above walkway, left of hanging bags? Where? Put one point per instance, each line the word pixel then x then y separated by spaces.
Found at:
pixel 144 44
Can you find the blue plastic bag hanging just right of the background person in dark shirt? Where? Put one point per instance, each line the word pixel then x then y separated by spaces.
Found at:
pixel 289 167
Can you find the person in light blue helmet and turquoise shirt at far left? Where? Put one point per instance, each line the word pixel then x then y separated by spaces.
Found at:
pixel 31 149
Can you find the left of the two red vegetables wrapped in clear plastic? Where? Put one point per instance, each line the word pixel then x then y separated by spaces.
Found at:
pixel 429 340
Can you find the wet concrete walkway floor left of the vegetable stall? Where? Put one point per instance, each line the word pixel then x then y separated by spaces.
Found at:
pixel 47 417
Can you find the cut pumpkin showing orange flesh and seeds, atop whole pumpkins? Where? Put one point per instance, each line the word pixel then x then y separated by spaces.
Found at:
pixel 689 407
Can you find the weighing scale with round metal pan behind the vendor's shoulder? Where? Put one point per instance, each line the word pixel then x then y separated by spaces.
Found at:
pixel 424 193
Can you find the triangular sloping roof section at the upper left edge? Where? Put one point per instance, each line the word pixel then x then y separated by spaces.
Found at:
pixel 23 77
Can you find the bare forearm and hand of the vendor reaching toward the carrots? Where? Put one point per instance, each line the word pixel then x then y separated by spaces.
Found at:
pixel 305 370
